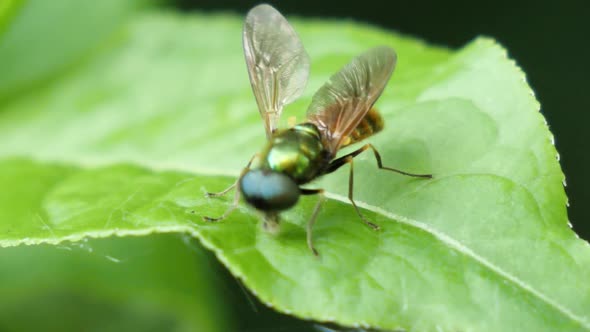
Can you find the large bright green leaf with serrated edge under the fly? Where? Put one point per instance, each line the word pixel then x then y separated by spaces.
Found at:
pixel 128 142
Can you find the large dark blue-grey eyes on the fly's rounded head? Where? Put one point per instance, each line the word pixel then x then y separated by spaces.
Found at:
pixel 269 191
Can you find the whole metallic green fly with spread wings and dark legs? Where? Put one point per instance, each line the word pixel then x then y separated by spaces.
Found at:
pixel 341 113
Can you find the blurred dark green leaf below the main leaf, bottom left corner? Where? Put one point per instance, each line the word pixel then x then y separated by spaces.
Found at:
pixel 156 283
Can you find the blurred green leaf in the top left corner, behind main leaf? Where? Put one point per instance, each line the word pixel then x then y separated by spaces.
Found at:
pixel 38 39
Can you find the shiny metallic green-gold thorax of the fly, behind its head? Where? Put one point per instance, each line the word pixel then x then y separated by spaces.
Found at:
pixel 297 152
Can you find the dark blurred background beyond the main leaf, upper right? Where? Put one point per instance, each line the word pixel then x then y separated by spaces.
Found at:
pixel 550 40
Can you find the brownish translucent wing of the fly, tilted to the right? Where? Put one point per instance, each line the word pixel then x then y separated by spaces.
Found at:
pixel 339 105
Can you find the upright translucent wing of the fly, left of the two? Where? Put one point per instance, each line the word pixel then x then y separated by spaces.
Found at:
pixel 277 63
